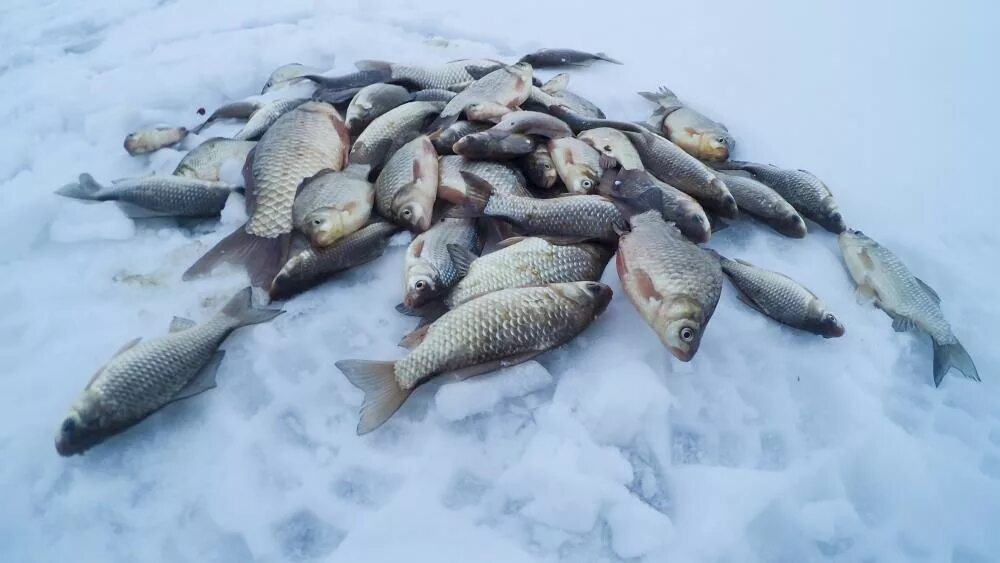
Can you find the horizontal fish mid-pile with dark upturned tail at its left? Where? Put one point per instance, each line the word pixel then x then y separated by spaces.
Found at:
pixel 570 218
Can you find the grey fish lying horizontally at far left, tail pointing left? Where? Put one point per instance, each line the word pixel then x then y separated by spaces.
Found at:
pixel 159 195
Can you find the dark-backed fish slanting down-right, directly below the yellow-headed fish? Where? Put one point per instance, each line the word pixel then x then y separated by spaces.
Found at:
pixel 668 163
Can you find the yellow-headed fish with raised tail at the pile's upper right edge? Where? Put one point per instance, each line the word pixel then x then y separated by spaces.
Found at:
pixel 690 130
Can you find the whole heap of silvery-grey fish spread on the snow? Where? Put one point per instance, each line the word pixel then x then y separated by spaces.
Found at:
pixel 473 155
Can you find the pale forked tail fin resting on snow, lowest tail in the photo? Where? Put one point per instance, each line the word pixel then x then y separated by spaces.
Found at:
pixel 383 395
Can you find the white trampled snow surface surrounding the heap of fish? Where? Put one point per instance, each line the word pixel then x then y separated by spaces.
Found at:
pixel 771 445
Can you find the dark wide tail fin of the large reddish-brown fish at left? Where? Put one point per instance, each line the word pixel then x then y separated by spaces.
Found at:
pixel 262 257
